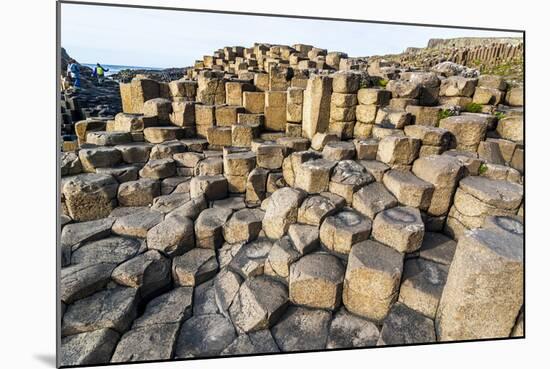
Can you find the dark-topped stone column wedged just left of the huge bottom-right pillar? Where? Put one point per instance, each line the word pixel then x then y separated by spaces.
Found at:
pixel 422 285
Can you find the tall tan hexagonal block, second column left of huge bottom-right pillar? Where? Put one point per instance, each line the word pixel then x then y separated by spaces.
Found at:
pixel 372 279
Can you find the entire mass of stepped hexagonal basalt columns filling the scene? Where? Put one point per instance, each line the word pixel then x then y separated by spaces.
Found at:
pixel 280 198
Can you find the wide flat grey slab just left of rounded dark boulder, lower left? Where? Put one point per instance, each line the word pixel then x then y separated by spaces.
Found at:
pixel 113 250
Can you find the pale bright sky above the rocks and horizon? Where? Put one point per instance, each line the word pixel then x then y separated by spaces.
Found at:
pixel 167 38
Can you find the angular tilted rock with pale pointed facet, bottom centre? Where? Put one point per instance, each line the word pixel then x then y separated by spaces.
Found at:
pixel 258 304
